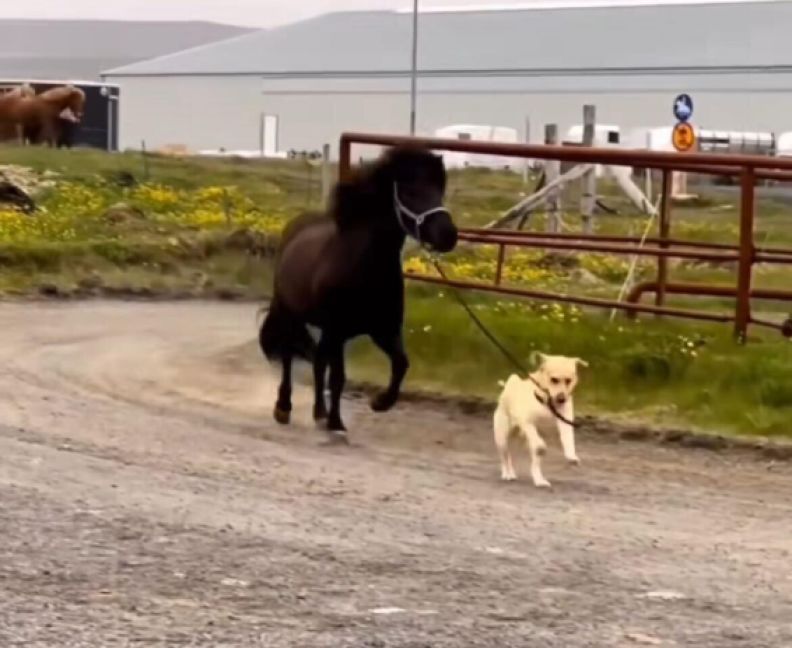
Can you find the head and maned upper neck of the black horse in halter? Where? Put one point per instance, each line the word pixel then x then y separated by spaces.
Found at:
pixel 400 193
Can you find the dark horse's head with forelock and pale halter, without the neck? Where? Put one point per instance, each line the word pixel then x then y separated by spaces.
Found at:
pixel 414 181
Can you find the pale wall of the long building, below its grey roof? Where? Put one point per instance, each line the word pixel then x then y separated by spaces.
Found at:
pixel 225 111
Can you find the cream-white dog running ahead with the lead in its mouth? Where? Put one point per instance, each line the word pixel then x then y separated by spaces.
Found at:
pixel 543 399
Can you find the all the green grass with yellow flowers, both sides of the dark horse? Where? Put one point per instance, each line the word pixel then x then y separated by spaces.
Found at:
pixel 657 371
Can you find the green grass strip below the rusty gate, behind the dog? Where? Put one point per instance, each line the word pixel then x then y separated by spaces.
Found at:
pixel 659 372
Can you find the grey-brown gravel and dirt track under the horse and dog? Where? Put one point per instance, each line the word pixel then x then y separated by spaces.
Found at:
pixel 147 500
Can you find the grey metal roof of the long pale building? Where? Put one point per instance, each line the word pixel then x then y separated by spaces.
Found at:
pixel 656 37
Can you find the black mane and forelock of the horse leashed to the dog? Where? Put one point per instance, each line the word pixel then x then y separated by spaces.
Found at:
pixel 355 197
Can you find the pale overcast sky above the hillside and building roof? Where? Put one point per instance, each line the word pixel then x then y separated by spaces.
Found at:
pixel 259 13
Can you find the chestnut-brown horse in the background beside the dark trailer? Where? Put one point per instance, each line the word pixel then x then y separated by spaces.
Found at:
pixel 36 118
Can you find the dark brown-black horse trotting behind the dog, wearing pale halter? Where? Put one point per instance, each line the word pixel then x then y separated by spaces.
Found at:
pixel 341 272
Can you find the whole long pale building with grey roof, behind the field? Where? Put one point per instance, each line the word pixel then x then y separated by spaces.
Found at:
pixel 498 66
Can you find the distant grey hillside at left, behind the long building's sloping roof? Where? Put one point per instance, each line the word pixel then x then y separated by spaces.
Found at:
pixel 82 49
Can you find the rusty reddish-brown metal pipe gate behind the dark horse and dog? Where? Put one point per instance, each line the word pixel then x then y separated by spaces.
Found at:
pixel 748 168
